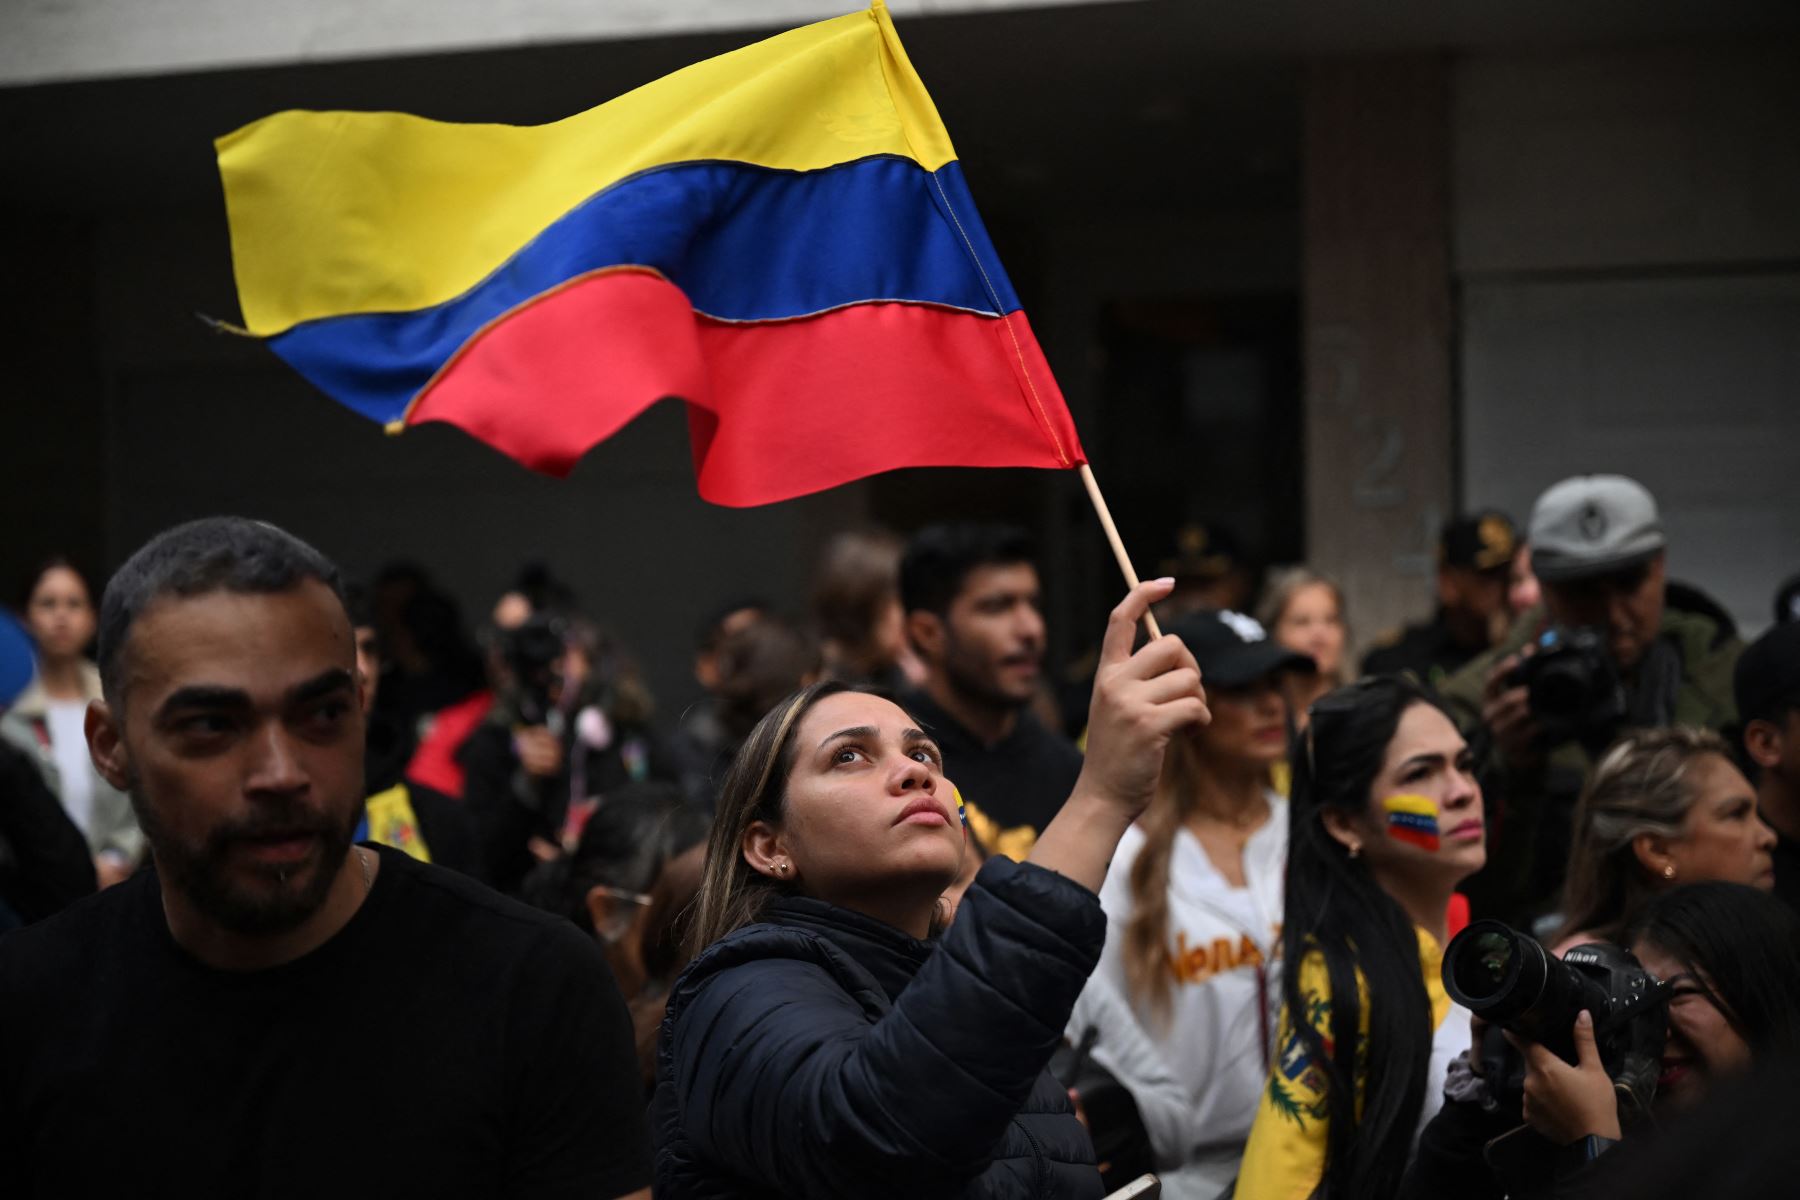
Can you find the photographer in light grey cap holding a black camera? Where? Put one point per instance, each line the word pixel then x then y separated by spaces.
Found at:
pixel 1614 647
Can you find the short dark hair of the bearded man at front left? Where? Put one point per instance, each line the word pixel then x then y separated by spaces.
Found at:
pixel 210 555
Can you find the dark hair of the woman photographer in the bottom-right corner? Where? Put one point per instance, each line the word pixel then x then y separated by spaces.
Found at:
pixel 1747 945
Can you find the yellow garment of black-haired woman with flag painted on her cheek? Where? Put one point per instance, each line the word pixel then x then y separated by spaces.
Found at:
pixel 1286 1152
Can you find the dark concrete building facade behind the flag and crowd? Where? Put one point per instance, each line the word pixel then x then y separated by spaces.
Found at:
pixel 1327 273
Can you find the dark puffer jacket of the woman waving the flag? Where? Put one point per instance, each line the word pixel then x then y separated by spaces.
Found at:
pixel 822 1053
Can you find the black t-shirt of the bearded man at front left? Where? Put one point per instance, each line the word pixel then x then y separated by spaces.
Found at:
pixel 445 1043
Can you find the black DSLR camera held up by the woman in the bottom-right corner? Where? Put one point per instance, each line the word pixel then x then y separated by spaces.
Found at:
pixel 1511 981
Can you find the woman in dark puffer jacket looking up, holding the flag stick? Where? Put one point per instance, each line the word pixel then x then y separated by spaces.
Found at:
pixel 829 1041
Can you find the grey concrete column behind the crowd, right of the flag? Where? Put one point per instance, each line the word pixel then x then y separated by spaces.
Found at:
pixel 1376 330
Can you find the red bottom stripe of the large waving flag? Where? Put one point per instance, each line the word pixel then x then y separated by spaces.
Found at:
pixel 777 409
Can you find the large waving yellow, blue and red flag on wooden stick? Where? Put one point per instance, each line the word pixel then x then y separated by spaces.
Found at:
pixel 778 237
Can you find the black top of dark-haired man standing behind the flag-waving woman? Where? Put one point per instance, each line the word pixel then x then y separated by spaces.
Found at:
pixel 1020 782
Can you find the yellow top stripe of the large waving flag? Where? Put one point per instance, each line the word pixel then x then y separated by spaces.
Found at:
pixel 341 213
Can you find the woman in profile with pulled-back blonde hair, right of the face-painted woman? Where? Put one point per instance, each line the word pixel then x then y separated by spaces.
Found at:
pixel 1666 807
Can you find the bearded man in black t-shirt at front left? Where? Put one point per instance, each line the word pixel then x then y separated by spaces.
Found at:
pixel 276 1012
